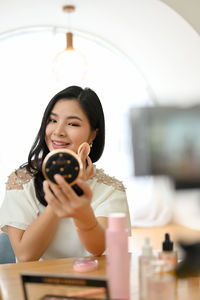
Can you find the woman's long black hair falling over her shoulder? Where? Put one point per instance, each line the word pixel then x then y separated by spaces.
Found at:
pixel 92 107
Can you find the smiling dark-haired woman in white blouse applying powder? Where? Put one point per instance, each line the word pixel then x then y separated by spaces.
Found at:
pixel 44 221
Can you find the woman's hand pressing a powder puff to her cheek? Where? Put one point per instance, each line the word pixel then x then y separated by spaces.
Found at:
pixel 88 169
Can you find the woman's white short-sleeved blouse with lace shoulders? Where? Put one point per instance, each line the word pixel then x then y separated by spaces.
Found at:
pixel 21 207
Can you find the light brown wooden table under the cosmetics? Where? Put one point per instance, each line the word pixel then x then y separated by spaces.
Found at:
pixel 11 287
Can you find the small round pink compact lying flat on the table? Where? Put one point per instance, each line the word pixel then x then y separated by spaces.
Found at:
pixel 85 264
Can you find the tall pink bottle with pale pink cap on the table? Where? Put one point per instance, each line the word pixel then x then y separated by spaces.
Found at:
pixel 117 257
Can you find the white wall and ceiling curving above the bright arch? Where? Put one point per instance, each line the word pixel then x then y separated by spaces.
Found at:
pixel 160 37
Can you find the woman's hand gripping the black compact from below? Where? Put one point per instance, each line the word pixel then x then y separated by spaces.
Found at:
pixel 64 201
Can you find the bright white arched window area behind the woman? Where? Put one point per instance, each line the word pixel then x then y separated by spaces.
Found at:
pixel 28 85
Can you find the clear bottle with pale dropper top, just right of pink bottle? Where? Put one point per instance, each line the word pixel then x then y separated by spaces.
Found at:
pixel 144 263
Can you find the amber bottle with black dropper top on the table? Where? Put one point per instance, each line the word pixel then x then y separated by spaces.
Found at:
pixel 168 253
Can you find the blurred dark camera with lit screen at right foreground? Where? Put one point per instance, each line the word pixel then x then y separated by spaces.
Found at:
pixel 166 141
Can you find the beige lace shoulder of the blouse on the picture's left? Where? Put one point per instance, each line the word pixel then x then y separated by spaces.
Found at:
pixel 17 179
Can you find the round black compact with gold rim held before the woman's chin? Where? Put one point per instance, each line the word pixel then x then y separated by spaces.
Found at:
pixel 66 163
